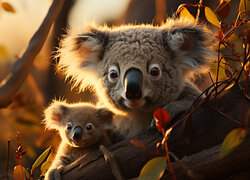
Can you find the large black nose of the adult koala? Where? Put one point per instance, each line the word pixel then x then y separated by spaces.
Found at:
pixel 133 83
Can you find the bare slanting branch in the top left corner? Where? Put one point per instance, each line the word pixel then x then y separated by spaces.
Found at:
pixel 23 66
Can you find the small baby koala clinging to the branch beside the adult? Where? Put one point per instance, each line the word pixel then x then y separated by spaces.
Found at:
pixel 82 129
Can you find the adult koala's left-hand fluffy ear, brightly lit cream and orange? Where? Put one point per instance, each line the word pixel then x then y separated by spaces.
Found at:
pixel 79 56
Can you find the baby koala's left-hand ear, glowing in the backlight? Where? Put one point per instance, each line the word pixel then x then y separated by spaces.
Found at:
pixel 54 114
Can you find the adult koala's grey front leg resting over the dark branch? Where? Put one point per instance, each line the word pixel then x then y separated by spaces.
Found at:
pixel 180 105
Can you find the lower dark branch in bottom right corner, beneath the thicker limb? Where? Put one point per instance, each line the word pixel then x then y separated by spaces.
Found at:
pixel 207 165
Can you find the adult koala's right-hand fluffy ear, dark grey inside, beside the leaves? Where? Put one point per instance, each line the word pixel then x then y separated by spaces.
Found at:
pixel 191 43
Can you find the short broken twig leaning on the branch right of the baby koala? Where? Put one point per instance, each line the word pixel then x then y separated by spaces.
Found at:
pixel 109 157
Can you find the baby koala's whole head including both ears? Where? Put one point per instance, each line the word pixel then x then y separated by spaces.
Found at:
pixel 80 125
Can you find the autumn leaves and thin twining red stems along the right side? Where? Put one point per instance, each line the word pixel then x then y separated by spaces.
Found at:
pixel 232 65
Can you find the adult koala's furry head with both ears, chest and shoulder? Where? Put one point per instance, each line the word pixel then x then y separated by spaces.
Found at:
pixel 159 60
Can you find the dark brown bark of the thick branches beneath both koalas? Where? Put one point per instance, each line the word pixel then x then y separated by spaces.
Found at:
pixel 209 128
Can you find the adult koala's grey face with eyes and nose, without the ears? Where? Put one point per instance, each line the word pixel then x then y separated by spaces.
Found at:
pixel 136 65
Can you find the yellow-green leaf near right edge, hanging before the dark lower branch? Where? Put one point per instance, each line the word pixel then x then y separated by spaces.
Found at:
pixel 232 140
